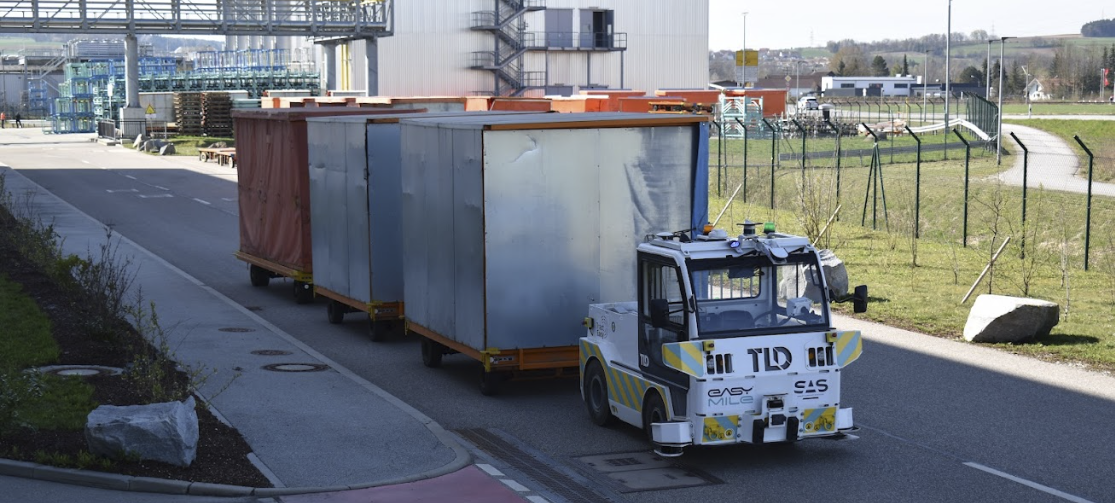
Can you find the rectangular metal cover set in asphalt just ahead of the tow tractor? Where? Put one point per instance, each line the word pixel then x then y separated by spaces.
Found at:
pixel 634 472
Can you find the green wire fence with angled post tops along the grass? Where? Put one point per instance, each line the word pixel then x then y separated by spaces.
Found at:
pixel 929 186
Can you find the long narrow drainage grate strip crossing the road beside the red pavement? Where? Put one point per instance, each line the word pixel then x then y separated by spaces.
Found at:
pixel 534 467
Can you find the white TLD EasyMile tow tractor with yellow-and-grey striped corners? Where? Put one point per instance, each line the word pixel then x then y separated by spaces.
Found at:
pixel 730 342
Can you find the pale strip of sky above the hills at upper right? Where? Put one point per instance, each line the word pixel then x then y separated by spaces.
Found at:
pixel 813 23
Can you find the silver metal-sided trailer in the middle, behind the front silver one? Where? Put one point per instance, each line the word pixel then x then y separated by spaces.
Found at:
pixel 355 207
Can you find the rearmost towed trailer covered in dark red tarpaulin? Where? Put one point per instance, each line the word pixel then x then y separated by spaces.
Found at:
pixel 273 181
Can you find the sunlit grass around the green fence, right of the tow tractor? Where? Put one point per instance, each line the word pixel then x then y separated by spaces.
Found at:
pixel 919 284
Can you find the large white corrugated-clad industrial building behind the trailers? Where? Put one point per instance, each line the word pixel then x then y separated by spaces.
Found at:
pixel 517 49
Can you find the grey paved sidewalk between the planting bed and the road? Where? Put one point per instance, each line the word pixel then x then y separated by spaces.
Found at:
pixel 312 432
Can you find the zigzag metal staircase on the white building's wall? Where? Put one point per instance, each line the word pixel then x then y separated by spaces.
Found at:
pixel 506 62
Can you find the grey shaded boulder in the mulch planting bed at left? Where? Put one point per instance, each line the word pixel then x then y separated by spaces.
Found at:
pixel 159 432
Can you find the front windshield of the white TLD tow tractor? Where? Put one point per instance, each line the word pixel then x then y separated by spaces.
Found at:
pixel 751 296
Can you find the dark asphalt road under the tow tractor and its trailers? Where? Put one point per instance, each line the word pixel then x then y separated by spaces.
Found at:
pixel 942 421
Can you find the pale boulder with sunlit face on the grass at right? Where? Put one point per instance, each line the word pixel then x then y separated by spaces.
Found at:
pixel 1010 320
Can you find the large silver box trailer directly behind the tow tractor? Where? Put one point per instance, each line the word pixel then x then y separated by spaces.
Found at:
pixel 512 226
